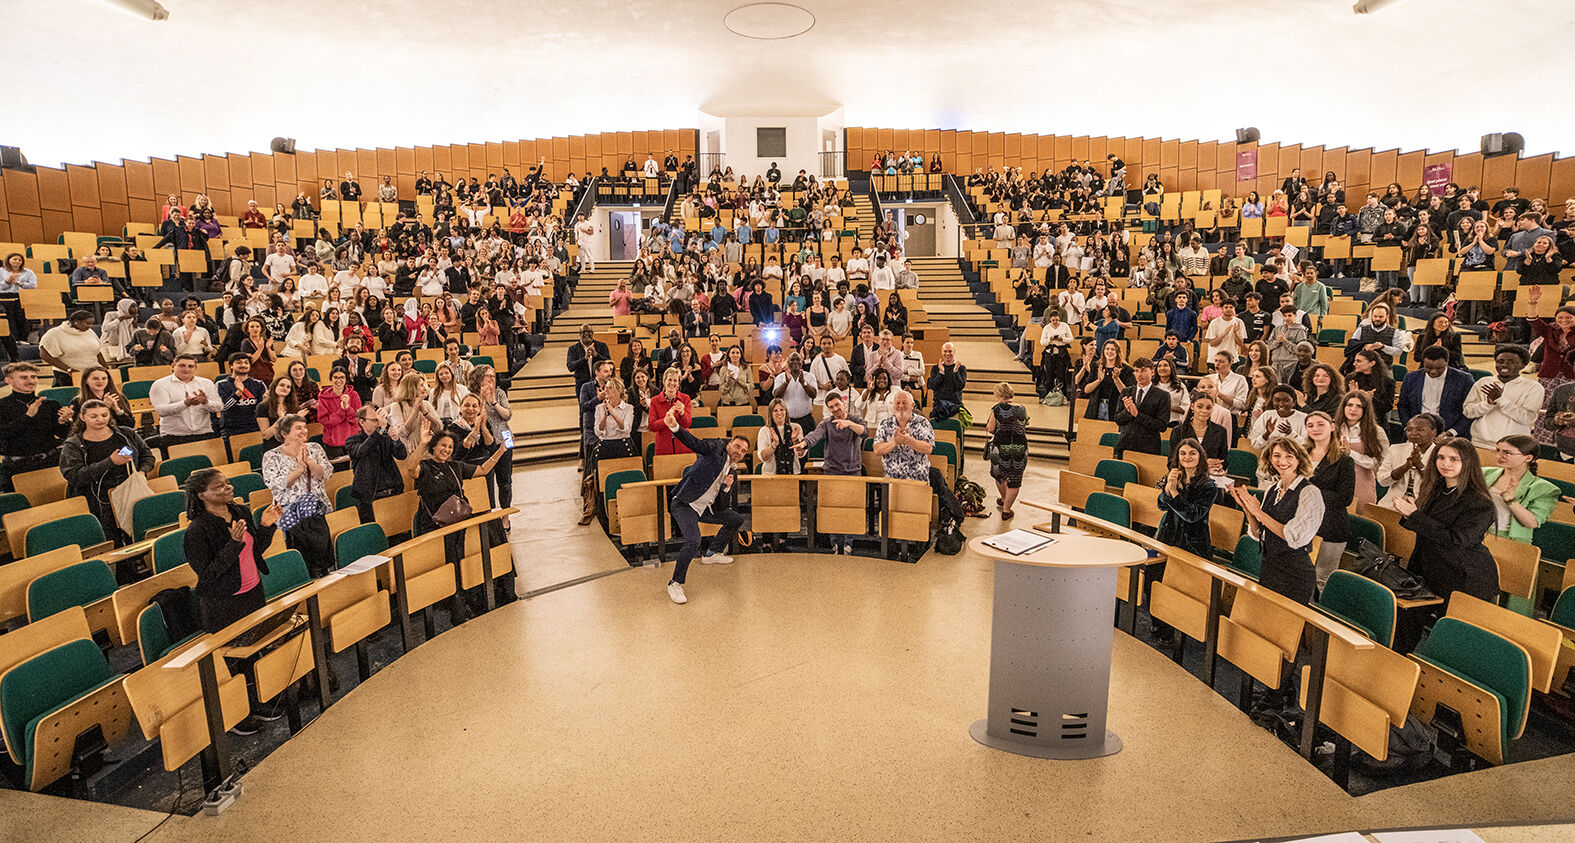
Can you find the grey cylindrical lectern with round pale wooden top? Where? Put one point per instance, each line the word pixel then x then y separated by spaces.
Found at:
pixel 1050 661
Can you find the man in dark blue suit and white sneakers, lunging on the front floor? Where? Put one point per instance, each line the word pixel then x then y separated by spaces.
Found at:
pixel 697 497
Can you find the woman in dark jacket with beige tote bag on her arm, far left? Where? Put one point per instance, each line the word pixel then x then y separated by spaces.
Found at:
pixel 98 458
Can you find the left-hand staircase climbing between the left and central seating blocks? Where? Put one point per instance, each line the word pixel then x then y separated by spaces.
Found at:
pixel 547 412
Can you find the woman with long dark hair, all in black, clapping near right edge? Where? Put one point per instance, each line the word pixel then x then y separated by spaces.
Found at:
pixel 1450 516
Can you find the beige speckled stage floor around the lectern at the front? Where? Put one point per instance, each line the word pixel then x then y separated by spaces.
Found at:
pixel 795 697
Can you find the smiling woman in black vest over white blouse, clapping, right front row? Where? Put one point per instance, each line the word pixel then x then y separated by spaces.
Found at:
pixel 1286 522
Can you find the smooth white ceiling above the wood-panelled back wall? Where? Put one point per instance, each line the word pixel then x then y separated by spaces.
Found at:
pixel 89 83
